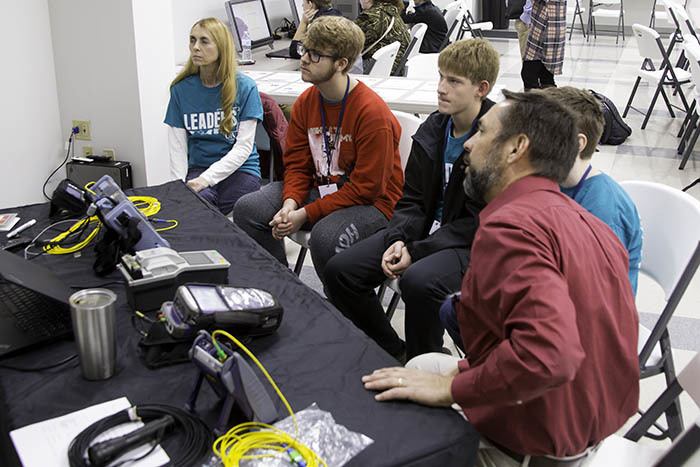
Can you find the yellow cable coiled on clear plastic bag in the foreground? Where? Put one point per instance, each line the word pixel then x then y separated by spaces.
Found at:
pixel 233 446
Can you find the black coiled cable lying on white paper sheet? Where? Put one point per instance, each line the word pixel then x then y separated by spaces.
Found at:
pixel 193 438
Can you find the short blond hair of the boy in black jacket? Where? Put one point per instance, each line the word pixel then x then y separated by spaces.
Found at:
pixel 475 59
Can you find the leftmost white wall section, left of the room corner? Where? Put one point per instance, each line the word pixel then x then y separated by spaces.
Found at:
pixel 30 131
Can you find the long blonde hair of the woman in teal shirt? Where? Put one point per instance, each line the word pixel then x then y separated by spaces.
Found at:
pixel 226 71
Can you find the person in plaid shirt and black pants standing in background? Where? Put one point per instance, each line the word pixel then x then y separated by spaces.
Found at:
pixel 544 52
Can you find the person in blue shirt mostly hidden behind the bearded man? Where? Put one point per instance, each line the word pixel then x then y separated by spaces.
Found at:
pixel 591 188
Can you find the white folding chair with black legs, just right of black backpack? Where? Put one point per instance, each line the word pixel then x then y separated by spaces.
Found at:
pixel 650 48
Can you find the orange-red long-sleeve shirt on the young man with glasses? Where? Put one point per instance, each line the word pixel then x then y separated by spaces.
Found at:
pixel 366 163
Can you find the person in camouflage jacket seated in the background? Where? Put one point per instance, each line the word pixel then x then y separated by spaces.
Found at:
pixel 381 23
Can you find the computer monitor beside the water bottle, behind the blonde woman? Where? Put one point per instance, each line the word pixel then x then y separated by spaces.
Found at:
pixel 249 15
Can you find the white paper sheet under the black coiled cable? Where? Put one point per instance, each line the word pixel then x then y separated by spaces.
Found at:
pixel 45 444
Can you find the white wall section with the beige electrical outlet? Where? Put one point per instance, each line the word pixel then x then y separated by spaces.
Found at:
pixel 95 59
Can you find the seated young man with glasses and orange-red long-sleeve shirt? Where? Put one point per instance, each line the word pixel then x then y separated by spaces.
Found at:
pixel 342 169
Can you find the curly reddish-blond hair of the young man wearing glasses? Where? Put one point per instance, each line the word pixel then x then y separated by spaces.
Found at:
pixel 337 36
